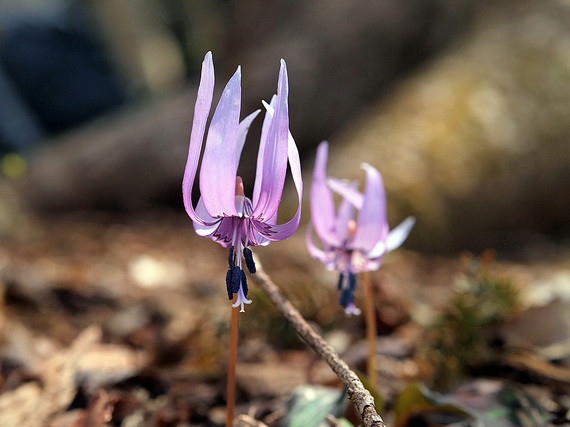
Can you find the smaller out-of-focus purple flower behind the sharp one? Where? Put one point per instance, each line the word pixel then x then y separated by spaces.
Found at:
pixel 351 246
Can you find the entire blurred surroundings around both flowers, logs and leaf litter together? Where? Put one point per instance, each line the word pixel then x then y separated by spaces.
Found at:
pixel 462 105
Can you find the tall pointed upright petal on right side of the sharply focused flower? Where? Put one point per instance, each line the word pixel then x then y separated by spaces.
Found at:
pixel 274 151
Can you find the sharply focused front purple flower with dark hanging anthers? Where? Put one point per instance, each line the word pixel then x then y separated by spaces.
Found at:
pixel 224 214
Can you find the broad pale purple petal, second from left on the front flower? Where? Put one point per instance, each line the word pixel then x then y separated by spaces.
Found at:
pixel 218 172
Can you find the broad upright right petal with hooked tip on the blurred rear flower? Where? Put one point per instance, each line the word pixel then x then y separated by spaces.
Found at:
pixel 371 226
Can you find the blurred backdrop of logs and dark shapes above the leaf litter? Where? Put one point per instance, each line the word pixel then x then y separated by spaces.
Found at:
pixel 462 105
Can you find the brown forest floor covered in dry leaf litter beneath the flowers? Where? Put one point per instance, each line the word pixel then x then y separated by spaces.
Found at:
pixel 126 322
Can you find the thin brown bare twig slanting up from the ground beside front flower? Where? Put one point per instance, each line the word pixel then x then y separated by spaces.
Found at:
pixel 360 398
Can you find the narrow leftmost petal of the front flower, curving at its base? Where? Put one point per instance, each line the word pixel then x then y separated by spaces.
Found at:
pixel 201 112
